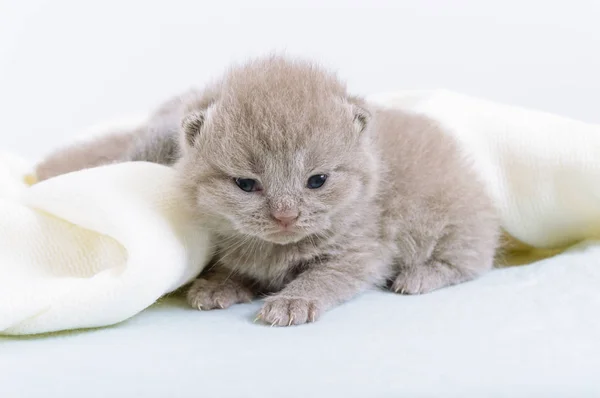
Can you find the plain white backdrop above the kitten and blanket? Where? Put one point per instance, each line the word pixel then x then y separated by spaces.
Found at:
pixel 67 64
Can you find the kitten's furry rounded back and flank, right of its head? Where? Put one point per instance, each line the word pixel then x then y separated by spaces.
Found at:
pixel 431 195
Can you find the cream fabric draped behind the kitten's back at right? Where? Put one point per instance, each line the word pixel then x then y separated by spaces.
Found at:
pixel 542 170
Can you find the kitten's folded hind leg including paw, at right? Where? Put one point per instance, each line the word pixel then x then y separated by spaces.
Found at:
pixel 463 252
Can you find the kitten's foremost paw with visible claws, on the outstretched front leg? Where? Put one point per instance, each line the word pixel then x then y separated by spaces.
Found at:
pixel 281 311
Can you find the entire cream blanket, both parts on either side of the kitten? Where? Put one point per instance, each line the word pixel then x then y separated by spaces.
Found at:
pixel 96 247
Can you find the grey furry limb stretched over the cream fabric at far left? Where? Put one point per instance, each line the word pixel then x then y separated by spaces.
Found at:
pixel 105 149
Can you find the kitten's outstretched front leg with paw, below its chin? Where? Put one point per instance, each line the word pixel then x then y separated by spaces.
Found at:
pixel 321 287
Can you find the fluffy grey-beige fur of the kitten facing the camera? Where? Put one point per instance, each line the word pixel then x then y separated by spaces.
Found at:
pixel 400 207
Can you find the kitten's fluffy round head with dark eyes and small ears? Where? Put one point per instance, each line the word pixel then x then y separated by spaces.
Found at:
pixel 280 154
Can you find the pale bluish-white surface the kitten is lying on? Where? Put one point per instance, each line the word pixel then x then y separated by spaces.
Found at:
pixel 525 332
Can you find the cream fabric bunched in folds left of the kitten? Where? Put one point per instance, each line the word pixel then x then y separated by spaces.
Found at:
pixel 91 248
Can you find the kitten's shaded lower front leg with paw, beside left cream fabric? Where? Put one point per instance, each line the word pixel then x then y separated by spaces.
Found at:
pixel 218 288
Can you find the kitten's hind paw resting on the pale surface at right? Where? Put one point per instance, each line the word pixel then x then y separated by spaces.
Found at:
pixel 424 279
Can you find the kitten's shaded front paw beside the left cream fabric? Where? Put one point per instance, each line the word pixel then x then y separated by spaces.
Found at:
pixel 206 294
